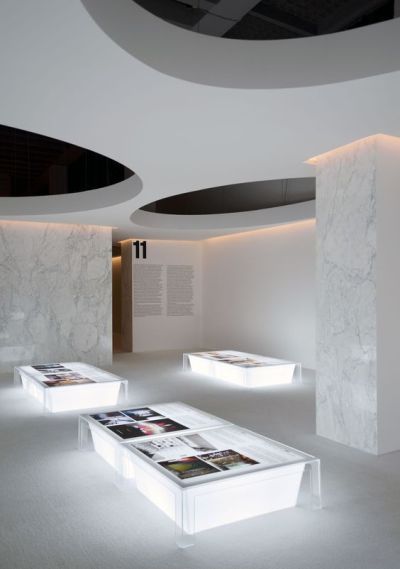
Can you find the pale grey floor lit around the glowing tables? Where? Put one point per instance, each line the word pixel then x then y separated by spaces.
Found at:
pixel 60 509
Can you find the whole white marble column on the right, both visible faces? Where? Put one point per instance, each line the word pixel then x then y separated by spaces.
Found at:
pixel 358 284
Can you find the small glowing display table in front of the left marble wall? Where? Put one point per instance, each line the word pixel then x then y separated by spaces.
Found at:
pixel 70 386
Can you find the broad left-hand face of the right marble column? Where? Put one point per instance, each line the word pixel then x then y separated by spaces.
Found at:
pixel 346 311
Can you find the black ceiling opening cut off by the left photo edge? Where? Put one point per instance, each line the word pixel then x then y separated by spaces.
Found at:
pixel 35 165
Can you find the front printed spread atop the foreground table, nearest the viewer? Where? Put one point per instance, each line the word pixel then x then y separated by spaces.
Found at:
pixel 215 451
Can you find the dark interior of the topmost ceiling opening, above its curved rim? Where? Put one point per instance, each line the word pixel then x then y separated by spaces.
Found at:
pixel 271 19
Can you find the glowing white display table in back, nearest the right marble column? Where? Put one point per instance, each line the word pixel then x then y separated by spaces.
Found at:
pixel 244 369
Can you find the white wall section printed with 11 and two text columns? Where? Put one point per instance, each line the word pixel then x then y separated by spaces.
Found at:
pixel 167 311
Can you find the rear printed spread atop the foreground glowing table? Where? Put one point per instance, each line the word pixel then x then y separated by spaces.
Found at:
pixel 154 420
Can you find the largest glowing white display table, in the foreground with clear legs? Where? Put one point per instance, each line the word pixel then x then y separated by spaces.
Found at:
pixel 201 476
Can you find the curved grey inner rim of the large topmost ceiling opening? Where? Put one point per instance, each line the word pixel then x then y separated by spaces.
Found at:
pixel 200 59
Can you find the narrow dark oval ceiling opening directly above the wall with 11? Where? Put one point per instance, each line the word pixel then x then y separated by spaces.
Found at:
pixel 237 198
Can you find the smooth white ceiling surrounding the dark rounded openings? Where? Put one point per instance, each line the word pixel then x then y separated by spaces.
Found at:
pixel 63 76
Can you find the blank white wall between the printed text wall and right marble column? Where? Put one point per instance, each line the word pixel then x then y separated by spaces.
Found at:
pixel 259 292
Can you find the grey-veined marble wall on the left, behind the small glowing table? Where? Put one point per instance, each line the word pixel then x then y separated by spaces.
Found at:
pixel 55 294
